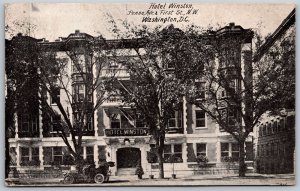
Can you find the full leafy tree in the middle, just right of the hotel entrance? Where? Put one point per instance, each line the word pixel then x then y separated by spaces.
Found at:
pixel 157 80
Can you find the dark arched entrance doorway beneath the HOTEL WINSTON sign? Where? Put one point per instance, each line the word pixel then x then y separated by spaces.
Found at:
pixel 128 157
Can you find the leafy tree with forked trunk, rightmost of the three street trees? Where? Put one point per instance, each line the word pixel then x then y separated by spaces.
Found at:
pixel 238 92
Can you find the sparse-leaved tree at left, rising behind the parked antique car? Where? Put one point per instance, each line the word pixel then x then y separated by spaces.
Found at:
pixel 76 82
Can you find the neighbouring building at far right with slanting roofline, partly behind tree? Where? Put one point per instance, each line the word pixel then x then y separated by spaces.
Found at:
pixel 275 135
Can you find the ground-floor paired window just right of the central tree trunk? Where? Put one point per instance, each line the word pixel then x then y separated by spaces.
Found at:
pixel 173 151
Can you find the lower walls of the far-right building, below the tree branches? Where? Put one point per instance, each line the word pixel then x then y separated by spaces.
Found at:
pixel 275 144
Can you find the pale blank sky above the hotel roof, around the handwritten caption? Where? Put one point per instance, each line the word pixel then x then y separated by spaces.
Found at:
pixel 52 21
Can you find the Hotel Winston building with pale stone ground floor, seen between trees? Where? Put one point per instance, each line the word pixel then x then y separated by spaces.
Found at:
pixel 116 134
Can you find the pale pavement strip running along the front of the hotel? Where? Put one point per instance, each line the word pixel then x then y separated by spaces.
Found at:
pixel 193 180
